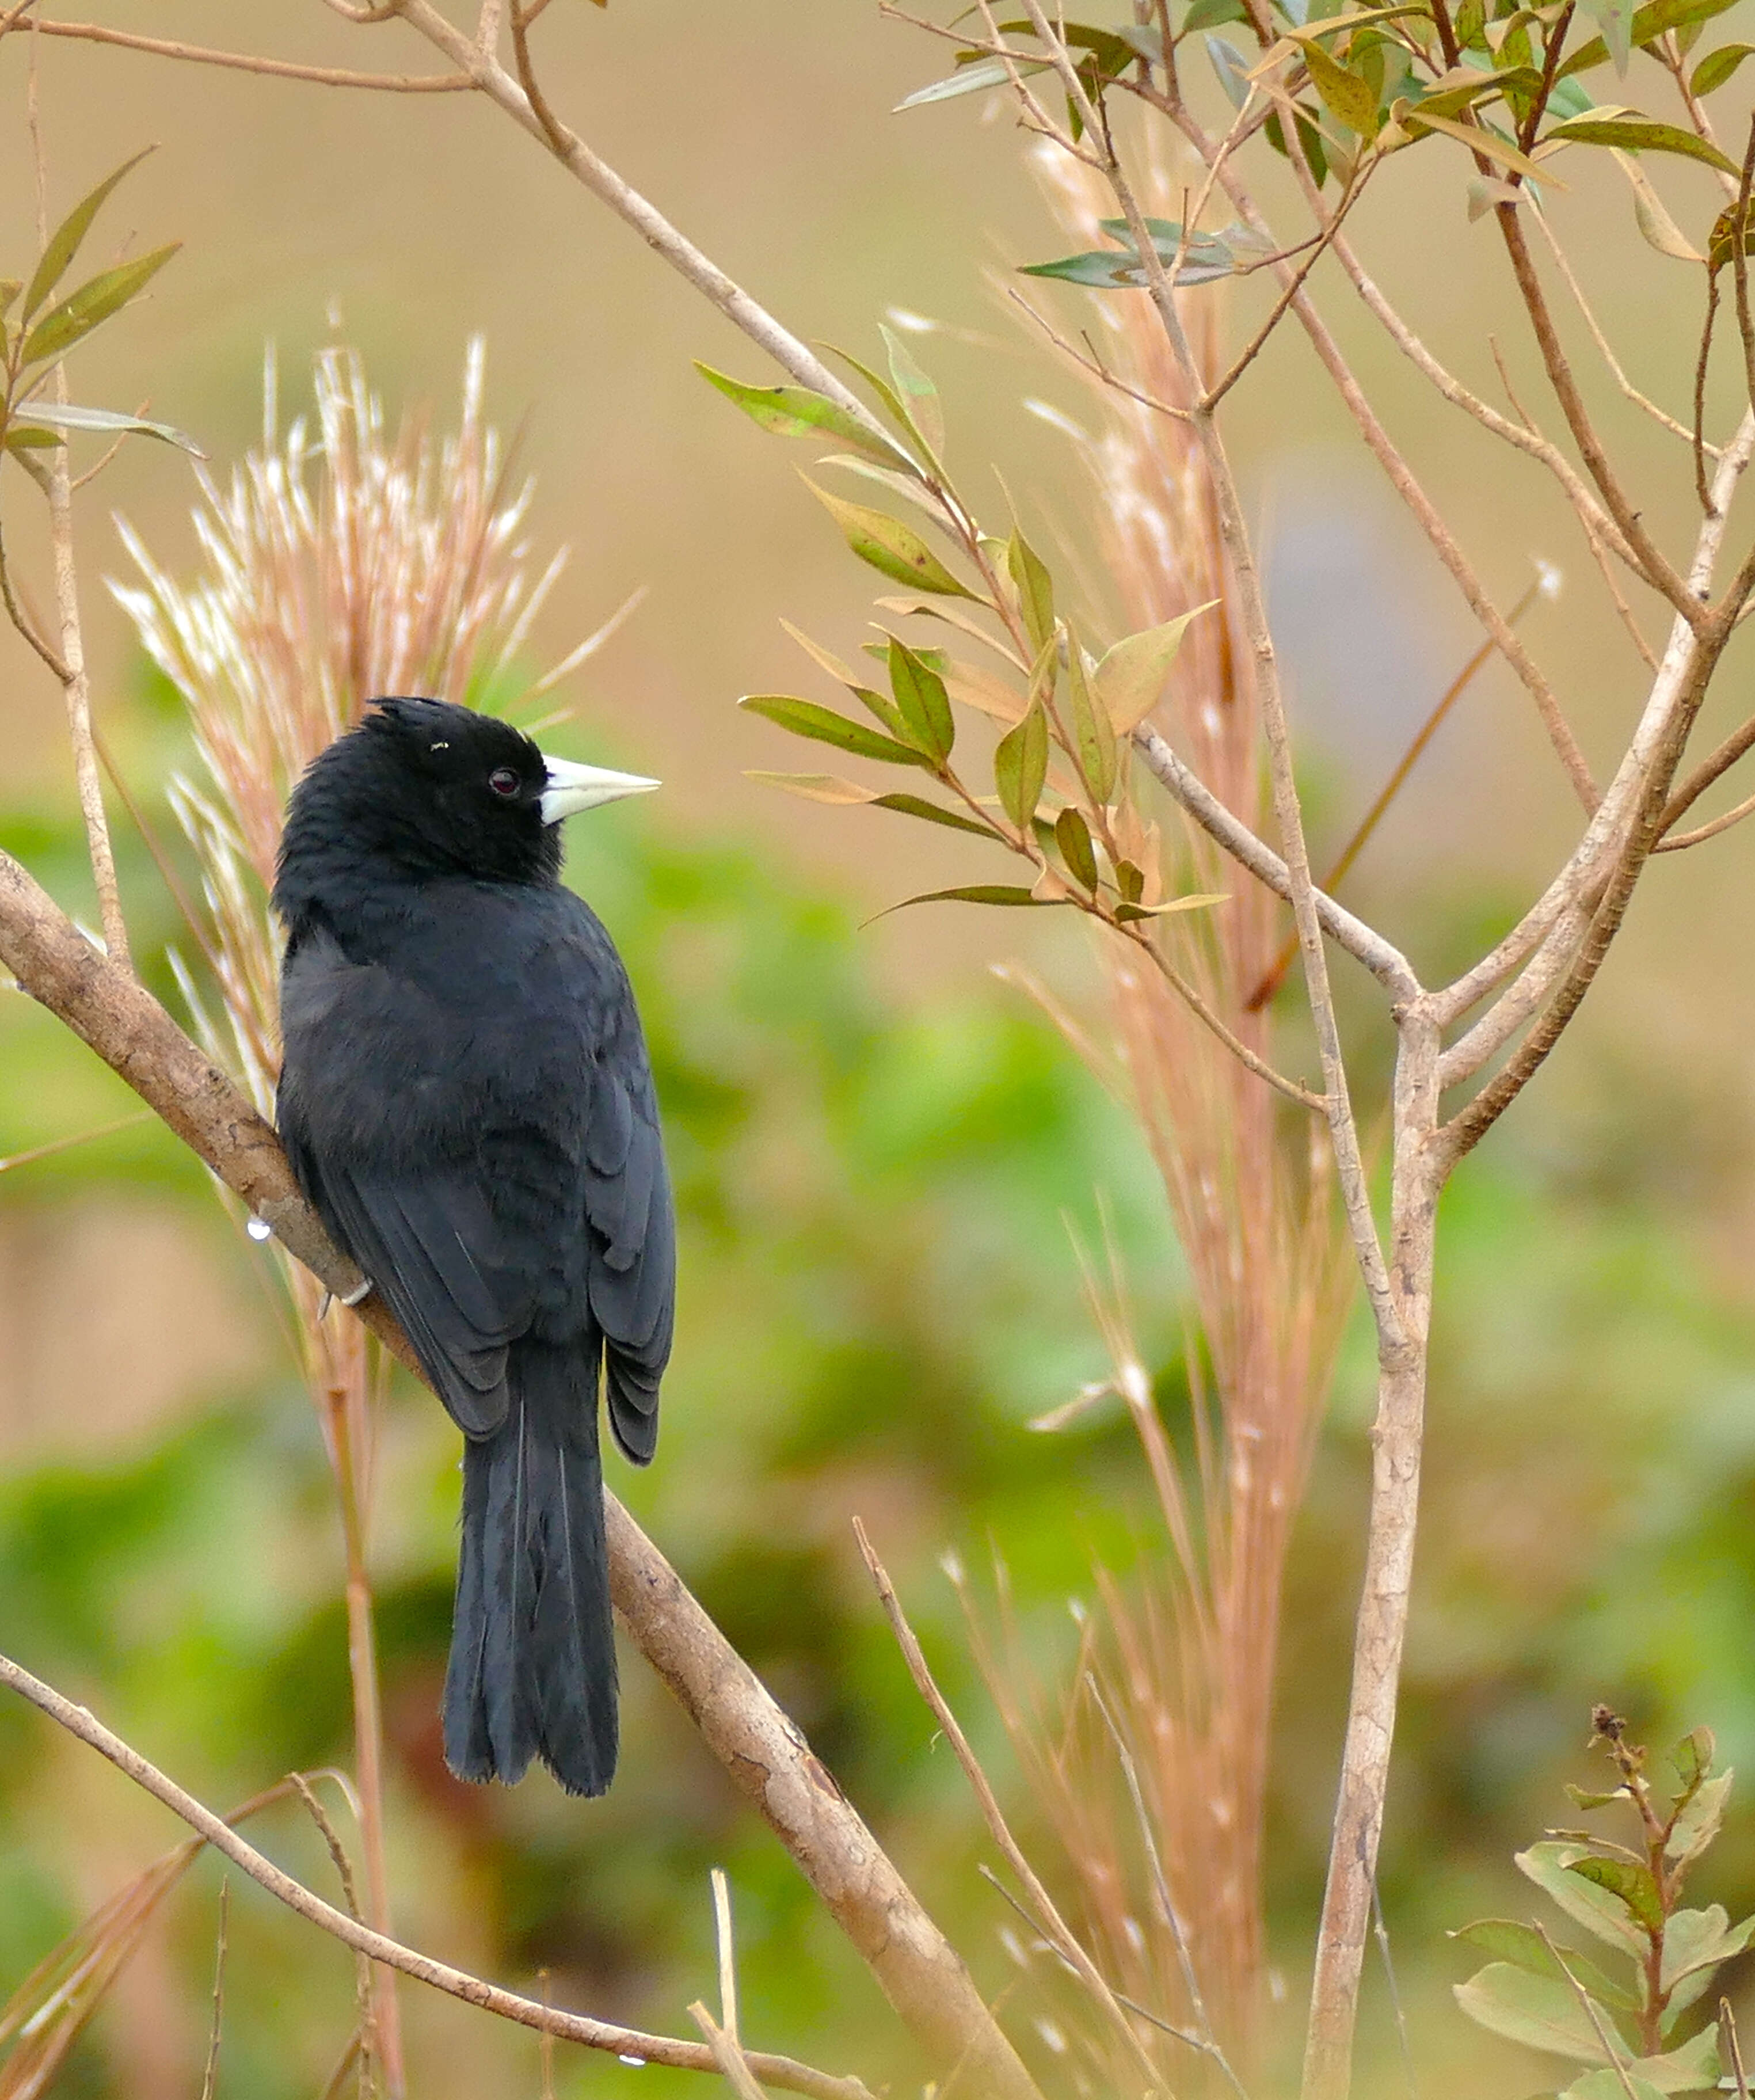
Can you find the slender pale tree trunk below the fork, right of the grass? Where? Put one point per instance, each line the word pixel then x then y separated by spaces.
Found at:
pixel 1420 1167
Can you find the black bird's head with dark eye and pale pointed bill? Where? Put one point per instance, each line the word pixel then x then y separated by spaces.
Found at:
pixel 425 789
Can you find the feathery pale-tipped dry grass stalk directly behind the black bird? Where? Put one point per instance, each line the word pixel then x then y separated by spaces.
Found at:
pixel 339 564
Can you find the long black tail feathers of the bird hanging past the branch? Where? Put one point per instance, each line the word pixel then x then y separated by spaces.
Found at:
pixel 532 1645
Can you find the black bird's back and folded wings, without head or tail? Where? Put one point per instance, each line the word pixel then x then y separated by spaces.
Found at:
pixel 469 1104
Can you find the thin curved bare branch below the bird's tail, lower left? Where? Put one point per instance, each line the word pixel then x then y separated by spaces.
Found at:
pixel 362 1939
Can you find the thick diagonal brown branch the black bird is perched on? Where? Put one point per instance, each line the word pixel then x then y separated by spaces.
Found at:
pixel 761 1748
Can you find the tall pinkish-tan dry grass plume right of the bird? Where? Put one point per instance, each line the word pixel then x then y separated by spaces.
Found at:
pixel 1179 1662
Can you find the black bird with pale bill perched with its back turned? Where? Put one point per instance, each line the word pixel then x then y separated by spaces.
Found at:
pixel 467 1101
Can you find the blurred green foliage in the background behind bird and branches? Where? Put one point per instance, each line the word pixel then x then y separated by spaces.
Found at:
pixel 879 1295
